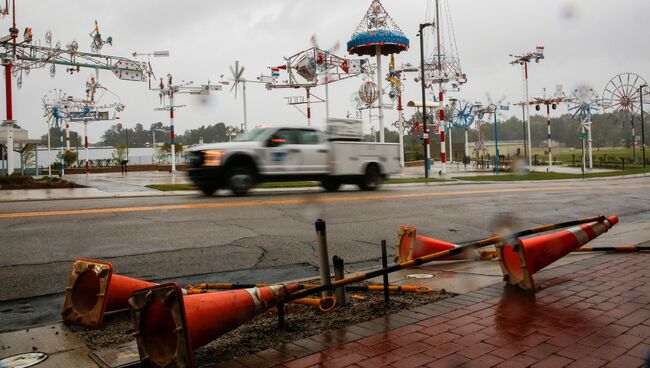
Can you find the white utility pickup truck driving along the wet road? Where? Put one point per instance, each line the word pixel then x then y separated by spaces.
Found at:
pixel 289 154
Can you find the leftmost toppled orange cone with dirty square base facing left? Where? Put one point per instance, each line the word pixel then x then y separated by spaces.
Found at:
pixel 94 289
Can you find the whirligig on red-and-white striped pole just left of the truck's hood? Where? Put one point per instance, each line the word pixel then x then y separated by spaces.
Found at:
pixel 167 93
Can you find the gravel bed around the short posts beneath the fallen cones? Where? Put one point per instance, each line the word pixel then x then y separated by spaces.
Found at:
pixel 262 333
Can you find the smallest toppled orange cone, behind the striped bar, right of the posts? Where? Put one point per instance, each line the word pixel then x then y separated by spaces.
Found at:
pixel 411 246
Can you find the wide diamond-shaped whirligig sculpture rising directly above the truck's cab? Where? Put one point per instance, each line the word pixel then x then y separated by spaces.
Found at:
pixel 310 68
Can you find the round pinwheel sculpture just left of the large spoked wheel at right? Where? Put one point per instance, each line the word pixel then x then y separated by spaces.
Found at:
pixel 583 103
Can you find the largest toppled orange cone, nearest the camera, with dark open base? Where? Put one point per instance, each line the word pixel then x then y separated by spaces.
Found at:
pixel 171 326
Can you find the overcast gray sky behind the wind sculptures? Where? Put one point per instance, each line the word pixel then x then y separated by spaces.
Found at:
pixel 586 41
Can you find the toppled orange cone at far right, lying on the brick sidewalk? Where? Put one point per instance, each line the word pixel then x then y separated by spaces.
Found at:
pixel 522 258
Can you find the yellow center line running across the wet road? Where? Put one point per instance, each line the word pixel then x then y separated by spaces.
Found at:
pixel 296 201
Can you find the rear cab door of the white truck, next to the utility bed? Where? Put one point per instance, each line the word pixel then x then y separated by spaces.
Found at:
pixel 316 151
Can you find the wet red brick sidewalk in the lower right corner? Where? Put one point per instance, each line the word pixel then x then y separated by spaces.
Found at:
pixel 591 313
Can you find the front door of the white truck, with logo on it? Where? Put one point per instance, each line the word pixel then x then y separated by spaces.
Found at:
pixel 281 156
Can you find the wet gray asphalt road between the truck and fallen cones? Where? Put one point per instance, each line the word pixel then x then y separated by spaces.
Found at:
pixel 199 238
